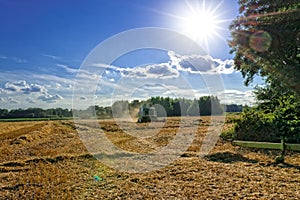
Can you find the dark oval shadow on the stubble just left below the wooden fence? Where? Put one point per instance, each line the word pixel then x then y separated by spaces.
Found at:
pixel 228 157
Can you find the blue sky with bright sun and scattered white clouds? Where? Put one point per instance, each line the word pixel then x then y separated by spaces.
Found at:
pixel 51 52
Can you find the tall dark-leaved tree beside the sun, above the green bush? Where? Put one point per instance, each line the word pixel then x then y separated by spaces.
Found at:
pixel 266 41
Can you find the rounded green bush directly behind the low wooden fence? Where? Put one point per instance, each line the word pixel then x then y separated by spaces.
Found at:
pixel 263 125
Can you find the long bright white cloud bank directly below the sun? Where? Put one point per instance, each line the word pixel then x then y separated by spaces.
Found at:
pixel 194 64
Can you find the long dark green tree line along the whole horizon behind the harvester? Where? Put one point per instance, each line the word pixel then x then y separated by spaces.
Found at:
pixel 165 106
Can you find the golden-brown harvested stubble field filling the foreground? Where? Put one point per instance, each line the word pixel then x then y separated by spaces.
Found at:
pixel 47 160
